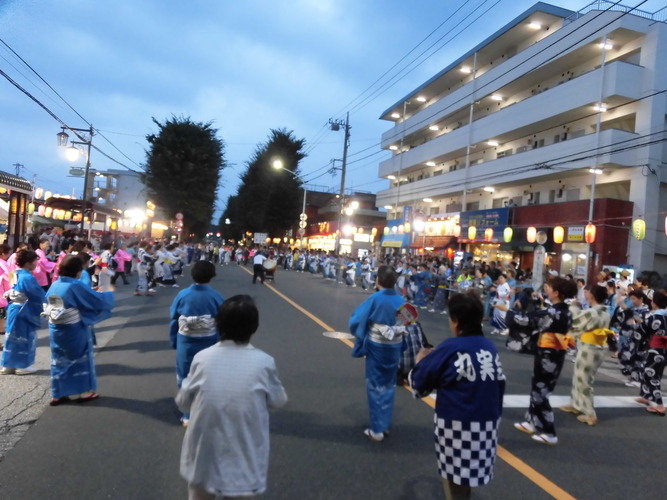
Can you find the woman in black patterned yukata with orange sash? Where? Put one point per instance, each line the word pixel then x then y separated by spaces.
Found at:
pixel 554 324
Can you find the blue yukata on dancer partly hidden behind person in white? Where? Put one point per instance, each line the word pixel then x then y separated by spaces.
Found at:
pixel 196 301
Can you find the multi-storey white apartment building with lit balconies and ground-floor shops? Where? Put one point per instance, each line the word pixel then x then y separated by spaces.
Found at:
pixel 557 119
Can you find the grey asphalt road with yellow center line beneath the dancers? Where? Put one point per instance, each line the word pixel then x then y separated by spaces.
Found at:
pixel 126 445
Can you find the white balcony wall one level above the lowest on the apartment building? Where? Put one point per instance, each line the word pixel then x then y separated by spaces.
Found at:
pixel 568 102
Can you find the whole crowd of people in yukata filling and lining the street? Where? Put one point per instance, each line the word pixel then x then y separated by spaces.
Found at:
pixel 69 280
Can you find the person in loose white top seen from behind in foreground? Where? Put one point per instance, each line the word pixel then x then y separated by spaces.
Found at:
pixel 228 393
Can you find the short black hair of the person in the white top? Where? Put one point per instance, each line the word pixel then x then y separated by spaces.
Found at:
pixel 238 319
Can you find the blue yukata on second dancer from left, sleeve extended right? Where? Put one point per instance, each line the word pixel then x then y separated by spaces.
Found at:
pixel 72 359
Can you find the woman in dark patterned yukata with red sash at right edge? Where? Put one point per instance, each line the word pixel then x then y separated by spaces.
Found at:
pixel 656 329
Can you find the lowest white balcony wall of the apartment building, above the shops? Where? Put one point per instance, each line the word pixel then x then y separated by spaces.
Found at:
pixel 518 169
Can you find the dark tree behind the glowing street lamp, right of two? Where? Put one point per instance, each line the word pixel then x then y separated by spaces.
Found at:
pixel 269 200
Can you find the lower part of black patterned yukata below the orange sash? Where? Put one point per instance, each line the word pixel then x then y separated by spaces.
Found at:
pixel 546 370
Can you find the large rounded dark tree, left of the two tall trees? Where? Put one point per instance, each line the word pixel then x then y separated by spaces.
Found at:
pixel 183 167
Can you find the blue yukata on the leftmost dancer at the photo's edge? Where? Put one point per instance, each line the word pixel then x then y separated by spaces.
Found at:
pixel 23 319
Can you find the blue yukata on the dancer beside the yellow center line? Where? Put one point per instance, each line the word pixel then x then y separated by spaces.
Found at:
pixel 381 358
